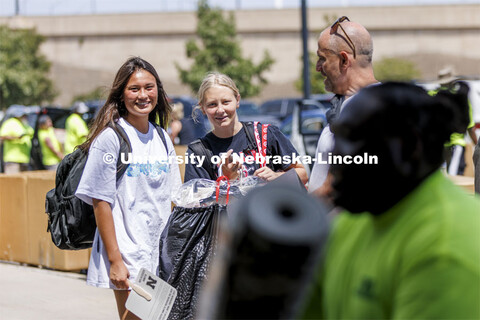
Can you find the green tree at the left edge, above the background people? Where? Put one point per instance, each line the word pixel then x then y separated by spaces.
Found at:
pixel 23 69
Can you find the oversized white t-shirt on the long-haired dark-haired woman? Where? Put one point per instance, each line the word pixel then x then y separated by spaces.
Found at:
pixel 140 200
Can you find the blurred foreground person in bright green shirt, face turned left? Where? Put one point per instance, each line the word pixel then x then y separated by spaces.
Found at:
pixel 408 247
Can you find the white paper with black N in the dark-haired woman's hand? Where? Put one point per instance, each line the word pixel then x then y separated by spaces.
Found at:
pixel 163 295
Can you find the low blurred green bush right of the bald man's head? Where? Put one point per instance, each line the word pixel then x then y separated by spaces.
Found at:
pixel 395 69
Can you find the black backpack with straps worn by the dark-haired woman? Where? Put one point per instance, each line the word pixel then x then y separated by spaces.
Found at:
pixel 71 221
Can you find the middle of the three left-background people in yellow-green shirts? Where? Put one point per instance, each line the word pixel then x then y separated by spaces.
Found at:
pixel 50 146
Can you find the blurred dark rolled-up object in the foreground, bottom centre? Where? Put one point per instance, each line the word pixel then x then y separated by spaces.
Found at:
pixel 268 250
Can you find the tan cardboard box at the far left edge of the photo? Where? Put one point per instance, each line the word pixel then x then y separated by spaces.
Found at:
pixel 14 237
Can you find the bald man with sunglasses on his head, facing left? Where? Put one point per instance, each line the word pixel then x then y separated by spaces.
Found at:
pixel 344 53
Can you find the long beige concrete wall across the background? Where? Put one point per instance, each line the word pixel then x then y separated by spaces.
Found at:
pixel 86 51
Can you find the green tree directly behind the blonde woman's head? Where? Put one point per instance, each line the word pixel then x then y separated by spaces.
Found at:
pixel 219 51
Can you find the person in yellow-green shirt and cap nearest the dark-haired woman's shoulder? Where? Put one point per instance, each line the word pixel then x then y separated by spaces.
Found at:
pixel 76 129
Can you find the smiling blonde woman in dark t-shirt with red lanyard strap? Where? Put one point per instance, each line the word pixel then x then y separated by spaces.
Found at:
pixel 219 99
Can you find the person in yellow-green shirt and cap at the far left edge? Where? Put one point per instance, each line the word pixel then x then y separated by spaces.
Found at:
pixel 16 135
